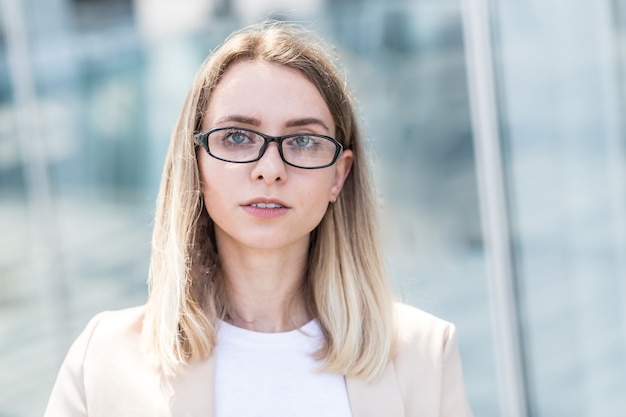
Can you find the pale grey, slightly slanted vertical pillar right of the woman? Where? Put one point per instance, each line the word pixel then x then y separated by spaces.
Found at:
pixel 493 202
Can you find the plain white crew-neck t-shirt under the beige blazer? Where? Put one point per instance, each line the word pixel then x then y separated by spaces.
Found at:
pixel 274 375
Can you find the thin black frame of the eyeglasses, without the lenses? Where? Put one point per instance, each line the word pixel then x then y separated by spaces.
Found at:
pixel 202 139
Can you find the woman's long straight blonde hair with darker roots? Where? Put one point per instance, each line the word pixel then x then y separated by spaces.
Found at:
pixel 346 287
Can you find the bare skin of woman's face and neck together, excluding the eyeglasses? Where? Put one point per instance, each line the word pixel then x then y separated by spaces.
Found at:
pixel 263 250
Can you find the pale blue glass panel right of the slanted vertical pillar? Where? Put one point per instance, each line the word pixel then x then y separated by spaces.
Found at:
pixel 563 122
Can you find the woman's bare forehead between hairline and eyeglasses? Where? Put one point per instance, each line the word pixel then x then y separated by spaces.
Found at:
pixel 268 93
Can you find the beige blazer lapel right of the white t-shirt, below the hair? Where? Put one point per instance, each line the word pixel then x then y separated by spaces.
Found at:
pixel 381 397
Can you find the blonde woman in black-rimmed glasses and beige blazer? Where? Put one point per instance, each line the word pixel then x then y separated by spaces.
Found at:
pixel 267 290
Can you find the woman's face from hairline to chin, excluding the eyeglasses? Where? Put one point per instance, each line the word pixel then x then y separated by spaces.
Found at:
pixel 268 204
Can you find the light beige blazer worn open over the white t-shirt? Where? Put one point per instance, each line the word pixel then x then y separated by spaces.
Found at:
pixel 105 374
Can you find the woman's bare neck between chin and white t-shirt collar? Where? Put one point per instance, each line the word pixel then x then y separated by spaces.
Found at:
pixel 265 288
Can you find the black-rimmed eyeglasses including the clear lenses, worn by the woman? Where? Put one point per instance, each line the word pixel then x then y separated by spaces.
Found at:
pixel 240 145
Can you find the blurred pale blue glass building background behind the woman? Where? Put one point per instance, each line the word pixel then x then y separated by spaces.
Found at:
pixel 498 132
